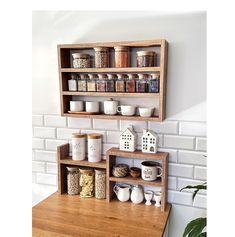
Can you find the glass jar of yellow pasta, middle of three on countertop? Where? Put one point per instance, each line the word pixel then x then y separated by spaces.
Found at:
pixel 86 182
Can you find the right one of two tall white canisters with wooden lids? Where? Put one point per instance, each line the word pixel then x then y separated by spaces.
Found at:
pixel 94 147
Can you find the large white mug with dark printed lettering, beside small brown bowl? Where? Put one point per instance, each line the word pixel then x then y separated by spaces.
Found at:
pixel 149 170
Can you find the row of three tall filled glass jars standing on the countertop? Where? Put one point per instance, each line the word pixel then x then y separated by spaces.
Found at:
pixel 86 181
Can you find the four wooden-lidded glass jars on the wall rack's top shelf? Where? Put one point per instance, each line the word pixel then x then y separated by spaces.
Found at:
pixel 122 58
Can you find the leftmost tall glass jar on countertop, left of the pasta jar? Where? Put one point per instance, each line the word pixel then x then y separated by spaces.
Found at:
pixel 73 180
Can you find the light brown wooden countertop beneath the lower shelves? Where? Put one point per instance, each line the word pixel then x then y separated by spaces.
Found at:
pixel 64 216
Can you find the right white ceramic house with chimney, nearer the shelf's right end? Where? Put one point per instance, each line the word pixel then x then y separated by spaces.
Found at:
pixel 149 142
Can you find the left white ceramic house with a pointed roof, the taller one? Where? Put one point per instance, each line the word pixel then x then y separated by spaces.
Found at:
pixel 128 139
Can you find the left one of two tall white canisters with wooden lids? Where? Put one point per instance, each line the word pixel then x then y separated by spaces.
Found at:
pixel 78 146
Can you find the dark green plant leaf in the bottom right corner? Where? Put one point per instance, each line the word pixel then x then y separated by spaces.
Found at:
pixel 195 227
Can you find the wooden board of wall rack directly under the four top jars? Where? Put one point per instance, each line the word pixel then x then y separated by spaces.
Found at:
pixel 111 70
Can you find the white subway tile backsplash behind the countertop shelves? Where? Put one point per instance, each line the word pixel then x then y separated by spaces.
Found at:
pixel 185 142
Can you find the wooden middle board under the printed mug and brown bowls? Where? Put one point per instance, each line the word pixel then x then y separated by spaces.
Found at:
pixel 139 181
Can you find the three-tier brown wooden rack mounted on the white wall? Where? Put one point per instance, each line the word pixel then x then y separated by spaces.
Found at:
pixel 66 68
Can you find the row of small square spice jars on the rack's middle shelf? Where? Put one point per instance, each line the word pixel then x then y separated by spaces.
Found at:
pixel 112 83
